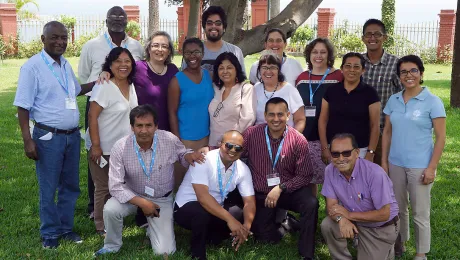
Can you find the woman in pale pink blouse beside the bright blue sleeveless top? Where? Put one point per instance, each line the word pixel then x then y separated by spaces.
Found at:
pixel 234 103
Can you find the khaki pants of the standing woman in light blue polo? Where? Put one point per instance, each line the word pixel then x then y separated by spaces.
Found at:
pixel 407 185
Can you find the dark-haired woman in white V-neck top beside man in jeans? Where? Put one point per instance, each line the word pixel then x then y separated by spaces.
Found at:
pixel 108 117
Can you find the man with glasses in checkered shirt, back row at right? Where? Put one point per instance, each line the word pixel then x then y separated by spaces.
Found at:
pixel 380 71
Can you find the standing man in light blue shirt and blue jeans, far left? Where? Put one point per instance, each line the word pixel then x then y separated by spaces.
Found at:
pixel 46 93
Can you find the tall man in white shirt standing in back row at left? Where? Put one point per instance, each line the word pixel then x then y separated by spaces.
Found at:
pixel 93 56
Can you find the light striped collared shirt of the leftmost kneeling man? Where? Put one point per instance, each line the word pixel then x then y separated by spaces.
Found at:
pixel 126 176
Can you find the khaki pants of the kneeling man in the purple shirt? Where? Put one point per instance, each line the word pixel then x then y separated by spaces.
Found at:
pixel 374 243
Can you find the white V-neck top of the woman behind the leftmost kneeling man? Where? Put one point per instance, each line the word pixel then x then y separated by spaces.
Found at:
pixel 113 121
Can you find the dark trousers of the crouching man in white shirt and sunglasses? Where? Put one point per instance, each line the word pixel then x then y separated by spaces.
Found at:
pixel 205 227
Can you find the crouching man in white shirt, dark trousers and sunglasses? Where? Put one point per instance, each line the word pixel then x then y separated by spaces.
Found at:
pixel 206 195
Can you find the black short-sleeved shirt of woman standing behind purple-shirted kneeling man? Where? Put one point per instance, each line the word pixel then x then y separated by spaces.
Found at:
pixel 349 112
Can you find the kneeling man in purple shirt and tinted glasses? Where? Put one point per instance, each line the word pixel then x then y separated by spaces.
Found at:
pixel 361 204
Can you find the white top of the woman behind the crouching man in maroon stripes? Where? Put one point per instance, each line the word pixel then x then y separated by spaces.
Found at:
pixel 288 93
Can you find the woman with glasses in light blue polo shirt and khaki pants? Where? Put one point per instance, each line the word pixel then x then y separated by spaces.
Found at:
pixel 408 153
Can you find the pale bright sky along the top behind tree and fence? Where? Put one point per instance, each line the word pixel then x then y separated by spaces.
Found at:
pixel 407 11
